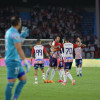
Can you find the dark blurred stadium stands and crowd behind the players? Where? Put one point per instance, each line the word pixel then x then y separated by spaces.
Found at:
pixel 46 19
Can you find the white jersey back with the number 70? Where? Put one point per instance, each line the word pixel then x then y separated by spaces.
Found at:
pixel 68 52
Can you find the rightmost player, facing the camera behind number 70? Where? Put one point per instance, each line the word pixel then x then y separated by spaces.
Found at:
pixel 78 57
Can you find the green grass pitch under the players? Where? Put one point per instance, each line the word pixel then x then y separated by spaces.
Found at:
pixel 86 88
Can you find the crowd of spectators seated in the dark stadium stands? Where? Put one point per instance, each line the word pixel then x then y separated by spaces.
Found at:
pixel 49 22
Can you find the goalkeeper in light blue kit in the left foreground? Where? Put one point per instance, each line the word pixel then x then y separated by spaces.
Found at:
pixel 13 53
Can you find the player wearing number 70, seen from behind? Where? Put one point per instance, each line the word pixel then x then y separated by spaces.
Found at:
pixel 68 59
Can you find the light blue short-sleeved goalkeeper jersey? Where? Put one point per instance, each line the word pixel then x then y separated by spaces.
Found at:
pixel 12 36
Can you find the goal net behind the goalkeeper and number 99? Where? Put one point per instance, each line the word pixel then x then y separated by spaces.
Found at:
pixel 27 46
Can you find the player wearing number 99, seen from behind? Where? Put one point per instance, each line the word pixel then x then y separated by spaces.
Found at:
pixel 39 50
